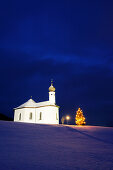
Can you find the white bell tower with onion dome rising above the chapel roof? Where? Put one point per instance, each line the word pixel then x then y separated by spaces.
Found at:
pixel 52 93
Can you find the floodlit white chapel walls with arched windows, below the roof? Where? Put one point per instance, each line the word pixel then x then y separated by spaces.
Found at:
pixel 49 115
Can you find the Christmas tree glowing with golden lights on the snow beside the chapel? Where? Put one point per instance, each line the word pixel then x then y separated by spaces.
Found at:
pixel 80 119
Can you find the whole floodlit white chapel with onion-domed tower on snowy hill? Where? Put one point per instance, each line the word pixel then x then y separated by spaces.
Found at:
pixel 43 112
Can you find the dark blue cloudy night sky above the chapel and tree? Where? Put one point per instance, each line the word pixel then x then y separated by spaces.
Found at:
pixel 68 41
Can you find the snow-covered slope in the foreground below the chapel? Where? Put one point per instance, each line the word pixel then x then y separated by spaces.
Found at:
pixel 55 147
